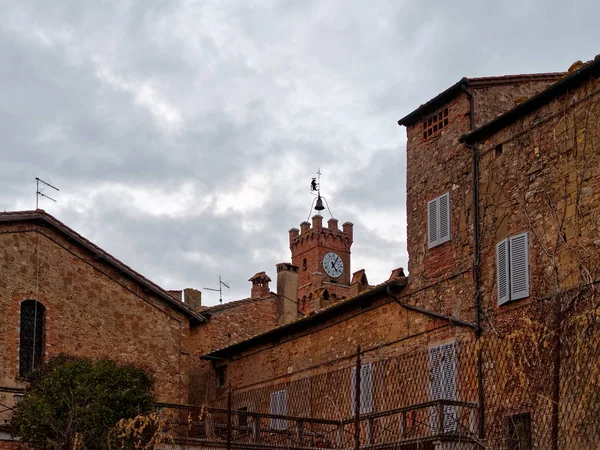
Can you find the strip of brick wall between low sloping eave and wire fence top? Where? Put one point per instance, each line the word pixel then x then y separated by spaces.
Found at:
pixel 382 329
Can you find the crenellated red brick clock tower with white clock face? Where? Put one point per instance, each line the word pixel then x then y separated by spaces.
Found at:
pixel 322 255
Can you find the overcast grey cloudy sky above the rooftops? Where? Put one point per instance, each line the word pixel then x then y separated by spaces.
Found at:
pixel 183 134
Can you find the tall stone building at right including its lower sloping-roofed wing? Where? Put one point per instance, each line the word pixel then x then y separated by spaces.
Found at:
pixel 502 208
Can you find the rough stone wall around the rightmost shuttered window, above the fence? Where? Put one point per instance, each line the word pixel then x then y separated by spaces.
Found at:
pixel 540 175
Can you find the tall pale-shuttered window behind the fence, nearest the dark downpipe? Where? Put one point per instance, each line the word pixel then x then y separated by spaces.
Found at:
pixel 443 385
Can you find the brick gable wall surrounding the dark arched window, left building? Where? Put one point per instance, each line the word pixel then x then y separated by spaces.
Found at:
pixel 92 310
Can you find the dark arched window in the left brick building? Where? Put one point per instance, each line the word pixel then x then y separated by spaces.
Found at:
pixel 31 343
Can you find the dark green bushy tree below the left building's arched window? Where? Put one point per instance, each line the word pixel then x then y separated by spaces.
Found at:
pixel 74 403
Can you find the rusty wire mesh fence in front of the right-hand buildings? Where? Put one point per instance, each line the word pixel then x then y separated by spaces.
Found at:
pixel 537 387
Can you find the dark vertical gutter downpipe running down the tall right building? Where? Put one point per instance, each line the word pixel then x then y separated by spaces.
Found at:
pixel 476 262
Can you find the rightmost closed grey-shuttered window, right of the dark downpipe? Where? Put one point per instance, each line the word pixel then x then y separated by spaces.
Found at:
pixel 512 263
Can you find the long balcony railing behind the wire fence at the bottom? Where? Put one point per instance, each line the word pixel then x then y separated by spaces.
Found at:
pixel 441 420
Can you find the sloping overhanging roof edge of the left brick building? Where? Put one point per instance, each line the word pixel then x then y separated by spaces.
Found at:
pixel 42 216
